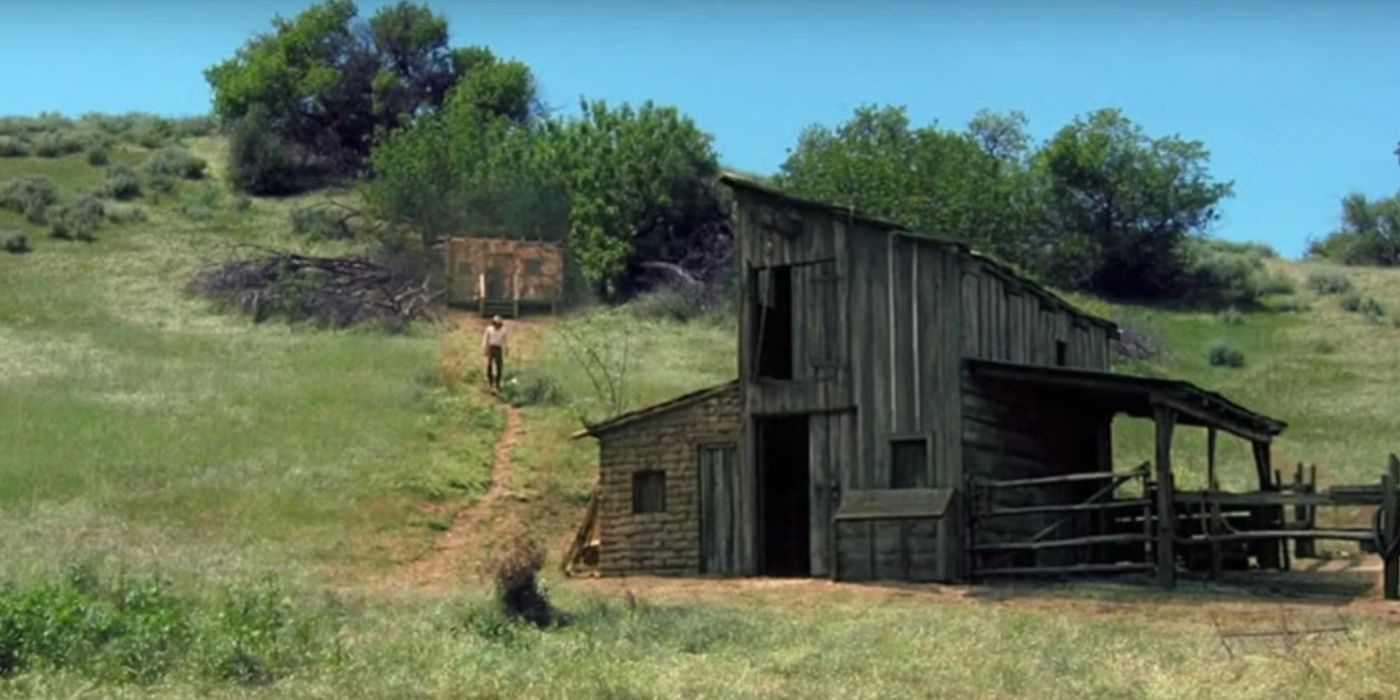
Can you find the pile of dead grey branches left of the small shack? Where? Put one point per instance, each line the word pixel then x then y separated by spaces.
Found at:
pixel 334 292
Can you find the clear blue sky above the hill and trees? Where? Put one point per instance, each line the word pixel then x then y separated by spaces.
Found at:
pixel 1297 100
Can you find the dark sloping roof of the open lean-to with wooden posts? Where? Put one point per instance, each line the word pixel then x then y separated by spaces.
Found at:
pixel 1135 395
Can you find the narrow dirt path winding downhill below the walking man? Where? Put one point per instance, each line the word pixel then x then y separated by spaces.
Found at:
pixel 443 566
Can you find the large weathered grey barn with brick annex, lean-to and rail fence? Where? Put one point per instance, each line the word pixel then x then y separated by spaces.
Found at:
pixel 909 409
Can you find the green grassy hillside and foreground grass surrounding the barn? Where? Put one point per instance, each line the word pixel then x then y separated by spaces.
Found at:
pixel 150 436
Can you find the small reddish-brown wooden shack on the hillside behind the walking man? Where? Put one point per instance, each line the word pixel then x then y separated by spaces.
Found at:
pixel 502 276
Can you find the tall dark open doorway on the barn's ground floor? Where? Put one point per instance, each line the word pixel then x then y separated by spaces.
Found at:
pixel 785 510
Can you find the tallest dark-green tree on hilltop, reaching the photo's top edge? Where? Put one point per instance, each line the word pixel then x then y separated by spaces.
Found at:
pixel 325 83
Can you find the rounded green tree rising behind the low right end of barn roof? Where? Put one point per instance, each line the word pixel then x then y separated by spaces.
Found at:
pixel 1119 206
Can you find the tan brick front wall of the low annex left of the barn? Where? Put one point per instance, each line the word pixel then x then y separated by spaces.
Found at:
pixel 667 542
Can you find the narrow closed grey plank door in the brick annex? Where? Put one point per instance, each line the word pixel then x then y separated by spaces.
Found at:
pixel 720 528
